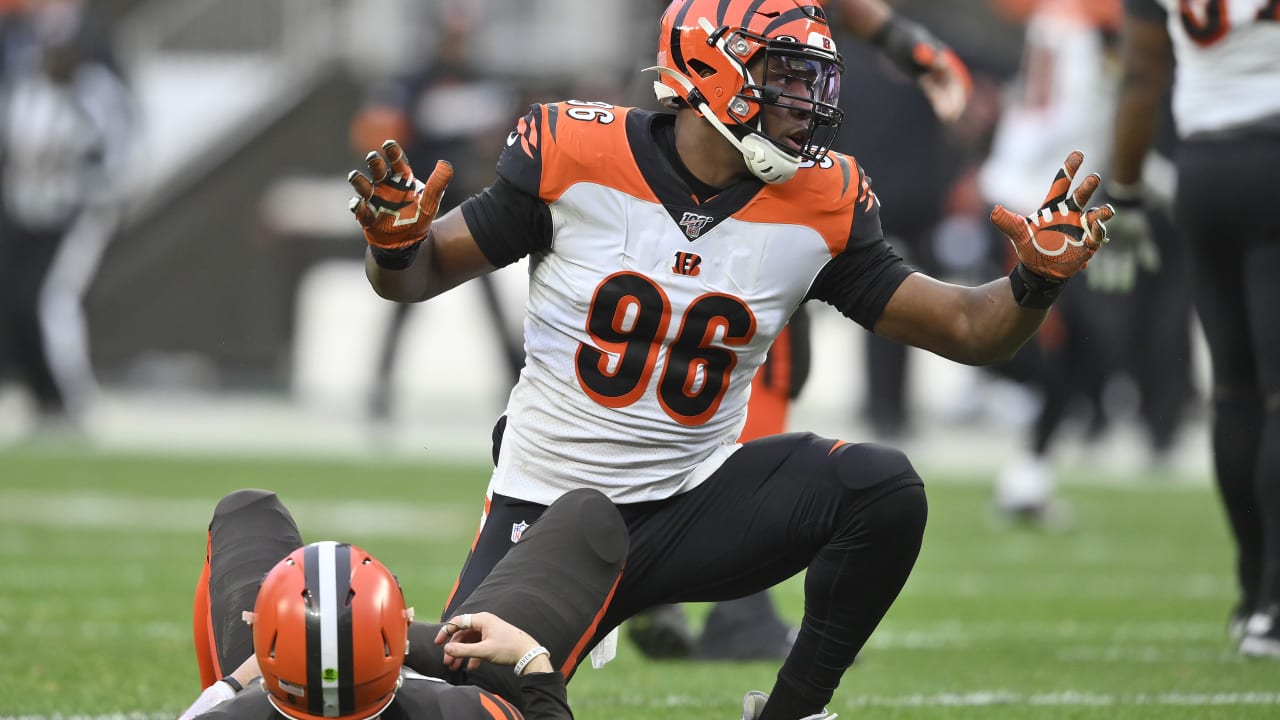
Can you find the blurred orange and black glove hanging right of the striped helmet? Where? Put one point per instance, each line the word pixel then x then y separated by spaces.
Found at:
pixel 943 75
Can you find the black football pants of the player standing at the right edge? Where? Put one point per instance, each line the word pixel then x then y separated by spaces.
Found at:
pixel 1227 209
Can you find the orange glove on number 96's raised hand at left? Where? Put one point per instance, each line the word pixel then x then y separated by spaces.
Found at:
pixel 395 208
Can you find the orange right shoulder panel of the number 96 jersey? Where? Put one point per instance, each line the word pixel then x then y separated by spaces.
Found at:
pixel 821 198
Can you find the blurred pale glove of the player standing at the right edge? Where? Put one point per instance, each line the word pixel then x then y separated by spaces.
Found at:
pixel 1133 247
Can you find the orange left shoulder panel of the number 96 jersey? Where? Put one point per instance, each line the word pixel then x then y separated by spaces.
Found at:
pixel 588 149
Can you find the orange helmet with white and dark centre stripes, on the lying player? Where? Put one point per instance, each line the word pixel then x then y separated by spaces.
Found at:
pixel 331 632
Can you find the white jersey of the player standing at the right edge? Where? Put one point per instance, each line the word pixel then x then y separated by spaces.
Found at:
pixel 1228 70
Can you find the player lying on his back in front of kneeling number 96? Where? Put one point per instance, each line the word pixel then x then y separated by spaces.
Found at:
pixel 326 632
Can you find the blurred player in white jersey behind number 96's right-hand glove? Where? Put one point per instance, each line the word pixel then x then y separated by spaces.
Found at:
pixel 1066 57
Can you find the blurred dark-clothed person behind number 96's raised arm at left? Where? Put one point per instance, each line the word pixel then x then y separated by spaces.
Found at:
pixel 450 111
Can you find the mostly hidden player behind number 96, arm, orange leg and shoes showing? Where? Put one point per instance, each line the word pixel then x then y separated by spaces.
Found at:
pixel 751 628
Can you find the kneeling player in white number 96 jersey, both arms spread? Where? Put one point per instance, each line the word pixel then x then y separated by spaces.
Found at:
pixel 668 250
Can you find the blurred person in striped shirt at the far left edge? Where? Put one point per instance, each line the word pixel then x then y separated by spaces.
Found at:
pixel 67 126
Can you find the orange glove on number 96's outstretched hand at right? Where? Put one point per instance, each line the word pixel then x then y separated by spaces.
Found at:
pixel 1059 240
